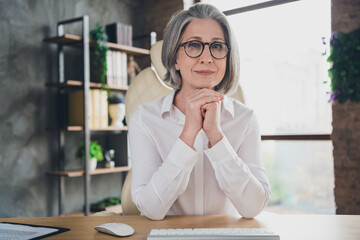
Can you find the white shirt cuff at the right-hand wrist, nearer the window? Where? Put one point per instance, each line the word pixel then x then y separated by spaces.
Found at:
pixel 221 153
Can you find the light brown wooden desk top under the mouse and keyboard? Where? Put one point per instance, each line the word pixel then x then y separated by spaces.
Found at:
pixel 336 227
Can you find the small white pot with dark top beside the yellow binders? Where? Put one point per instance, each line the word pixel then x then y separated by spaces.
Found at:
pixel 116 109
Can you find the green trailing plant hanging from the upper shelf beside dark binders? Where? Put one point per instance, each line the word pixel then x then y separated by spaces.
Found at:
pixel 99 63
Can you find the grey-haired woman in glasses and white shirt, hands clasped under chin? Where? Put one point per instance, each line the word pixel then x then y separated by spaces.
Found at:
pixel 196 151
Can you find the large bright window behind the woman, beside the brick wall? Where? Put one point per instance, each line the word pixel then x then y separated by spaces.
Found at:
pixel 282 73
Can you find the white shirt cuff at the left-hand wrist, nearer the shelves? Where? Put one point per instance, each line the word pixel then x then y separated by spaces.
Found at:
pixel 183 156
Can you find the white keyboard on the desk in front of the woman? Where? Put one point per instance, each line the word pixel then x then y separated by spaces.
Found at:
pixel 212 233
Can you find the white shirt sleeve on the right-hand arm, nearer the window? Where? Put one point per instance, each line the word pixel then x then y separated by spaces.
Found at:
pixel 240 174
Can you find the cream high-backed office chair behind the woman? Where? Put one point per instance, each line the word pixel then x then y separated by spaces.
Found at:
pixel 146 87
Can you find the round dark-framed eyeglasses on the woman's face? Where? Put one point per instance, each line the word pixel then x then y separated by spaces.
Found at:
pixel 195 48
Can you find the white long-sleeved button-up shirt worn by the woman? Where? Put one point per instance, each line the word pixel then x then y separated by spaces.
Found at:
pixel 171 178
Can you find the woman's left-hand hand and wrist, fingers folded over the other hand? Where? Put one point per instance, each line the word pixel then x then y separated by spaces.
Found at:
pixel 194 113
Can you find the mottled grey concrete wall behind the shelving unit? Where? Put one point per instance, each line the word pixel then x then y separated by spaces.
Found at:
pixel 28 108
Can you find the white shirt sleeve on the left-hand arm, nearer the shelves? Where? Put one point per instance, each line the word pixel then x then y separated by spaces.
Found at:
pixel 157 183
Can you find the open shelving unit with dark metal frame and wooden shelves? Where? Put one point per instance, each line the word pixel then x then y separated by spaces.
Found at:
pixel 64 86
